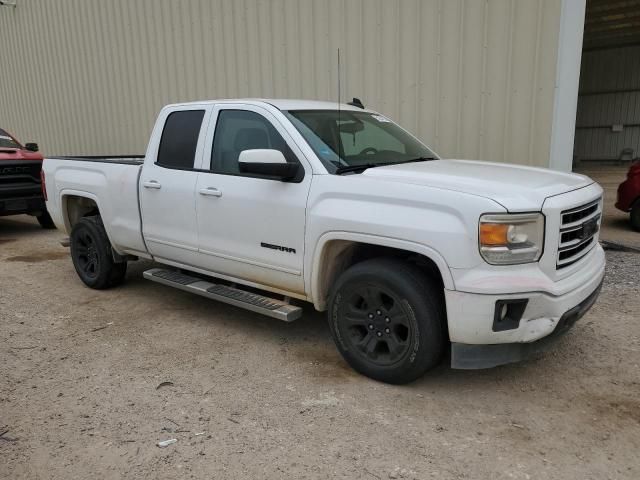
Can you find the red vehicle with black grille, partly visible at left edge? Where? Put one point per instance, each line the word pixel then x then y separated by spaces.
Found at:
pixel 20 181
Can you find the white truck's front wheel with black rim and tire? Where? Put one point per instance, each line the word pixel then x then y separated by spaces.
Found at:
pixel 386 317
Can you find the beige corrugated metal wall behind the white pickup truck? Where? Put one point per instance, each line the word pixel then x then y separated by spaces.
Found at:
pixel 475 78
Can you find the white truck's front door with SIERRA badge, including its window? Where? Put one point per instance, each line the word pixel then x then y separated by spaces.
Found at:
pixel 251 227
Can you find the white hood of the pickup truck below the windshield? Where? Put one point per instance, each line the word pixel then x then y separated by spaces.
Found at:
pixel 516 188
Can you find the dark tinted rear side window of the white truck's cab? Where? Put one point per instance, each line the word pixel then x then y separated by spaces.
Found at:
pixel 180 139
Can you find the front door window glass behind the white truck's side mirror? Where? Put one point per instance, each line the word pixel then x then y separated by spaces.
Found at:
pixel 238 130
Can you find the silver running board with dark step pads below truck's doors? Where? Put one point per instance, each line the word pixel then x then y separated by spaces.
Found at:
pixel 233 296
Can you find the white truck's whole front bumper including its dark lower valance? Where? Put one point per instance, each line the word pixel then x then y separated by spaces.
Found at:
pixel 550 307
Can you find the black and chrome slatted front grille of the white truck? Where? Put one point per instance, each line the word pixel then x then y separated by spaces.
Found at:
pixel 578 232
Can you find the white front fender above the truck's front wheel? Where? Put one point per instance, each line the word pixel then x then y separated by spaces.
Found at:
pixel 440 224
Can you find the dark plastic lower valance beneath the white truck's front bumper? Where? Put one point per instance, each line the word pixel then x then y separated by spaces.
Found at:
pixel 466 356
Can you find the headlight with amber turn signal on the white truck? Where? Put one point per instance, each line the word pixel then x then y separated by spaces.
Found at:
pixel 506 239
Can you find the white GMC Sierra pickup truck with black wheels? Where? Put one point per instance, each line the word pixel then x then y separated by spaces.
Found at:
pixel 260 203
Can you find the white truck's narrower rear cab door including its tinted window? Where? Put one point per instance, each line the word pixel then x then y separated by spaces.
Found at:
pixel 167 186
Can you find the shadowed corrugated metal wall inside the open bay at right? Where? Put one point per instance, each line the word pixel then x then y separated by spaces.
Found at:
pixel 609 95
